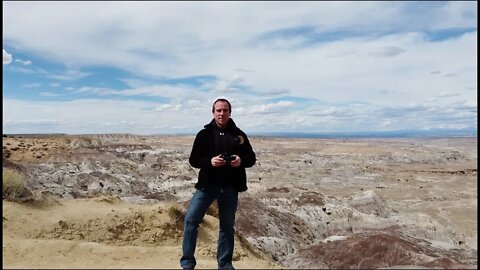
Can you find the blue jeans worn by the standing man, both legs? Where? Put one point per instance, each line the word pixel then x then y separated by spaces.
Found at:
pixel 227 200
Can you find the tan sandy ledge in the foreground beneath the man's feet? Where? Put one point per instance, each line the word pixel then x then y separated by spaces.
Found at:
pixel 105 233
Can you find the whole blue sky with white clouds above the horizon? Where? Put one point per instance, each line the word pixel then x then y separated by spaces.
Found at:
pixel 156 67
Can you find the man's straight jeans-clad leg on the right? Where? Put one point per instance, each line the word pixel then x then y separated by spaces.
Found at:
pixel 227 207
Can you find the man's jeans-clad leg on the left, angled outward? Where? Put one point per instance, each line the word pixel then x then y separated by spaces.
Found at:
pixel 199 204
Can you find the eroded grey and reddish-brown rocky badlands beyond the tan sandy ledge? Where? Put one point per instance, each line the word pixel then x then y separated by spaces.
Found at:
pixel 312 203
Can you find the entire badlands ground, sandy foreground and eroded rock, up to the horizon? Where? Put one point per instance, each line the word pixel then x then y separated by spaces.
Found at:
pixel 117 201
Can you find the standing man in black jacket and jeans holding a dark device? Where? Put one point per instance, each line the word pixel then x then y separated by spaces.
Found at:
pixel 222 152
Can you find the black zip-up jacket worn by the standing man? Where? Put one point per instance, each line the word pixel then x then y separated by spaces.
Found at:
pixel 213 141
